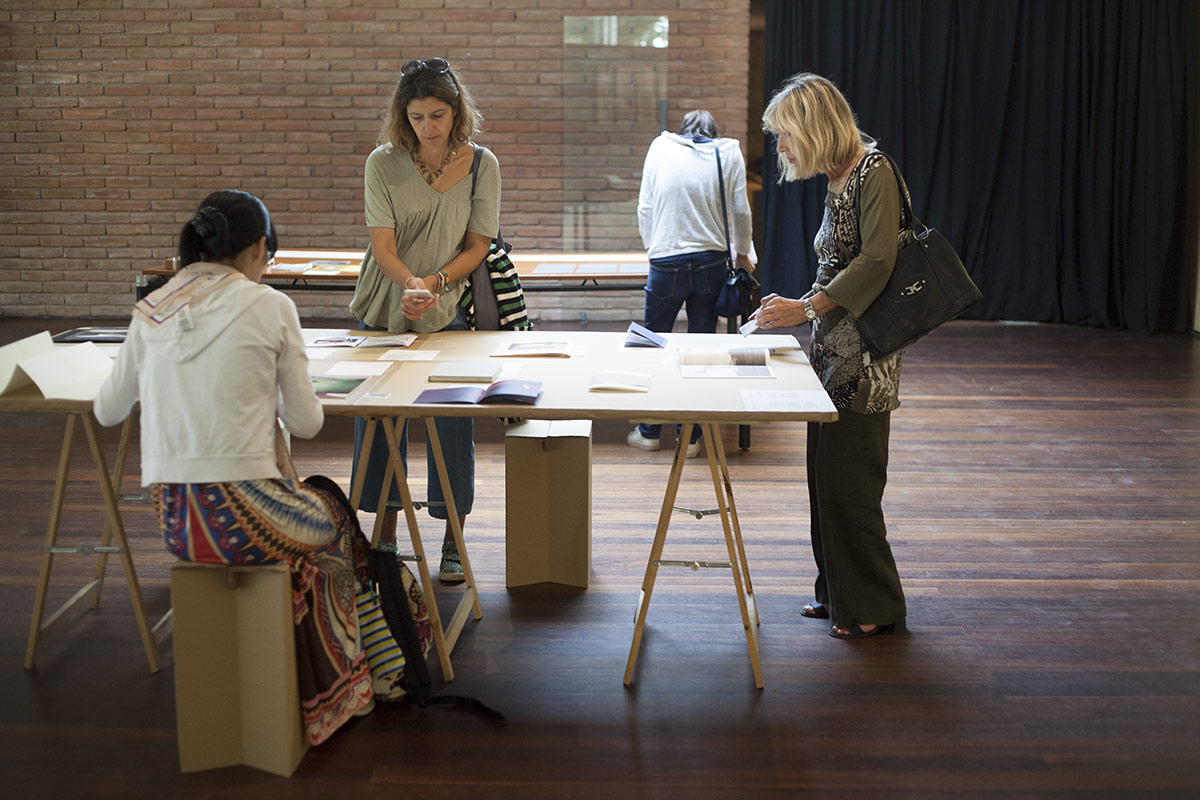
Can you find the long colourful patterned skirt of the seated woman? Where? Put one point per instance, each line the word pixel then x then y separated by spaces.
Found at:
pixel 279 521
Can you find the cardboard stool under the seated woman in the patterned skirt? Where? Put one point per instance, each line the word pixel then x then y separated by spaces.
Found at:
pixel 236 669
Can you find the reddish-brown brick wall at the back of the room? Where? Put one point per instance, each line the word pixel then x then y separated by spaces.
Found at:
pixel 117 117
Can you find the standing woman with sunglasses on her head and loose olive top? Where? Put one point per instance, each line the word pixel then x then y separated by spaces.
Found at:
pixel 431 226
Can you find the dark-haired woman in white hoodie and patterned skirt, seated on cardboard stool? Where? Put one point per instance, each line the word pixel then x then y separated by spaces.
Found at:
pixel 215 358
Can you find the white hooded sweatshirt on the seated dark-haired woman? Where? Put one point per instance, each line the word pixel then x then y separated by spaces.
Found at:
pixel 215 358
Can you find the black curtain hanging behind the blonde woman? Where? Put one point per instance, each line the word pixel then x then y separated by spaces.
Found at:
pixel 1052 142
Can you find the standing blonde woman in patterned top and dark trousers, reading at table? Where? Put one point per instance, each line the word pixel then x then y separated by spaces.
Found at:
pixel 857 587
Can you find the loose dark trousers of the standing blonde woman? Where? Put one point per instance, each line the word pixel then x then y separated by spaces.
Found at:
pixel 848 466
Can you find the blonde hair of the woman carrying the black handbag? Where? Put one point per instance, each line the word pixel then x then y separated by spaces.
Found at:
pixel 817 118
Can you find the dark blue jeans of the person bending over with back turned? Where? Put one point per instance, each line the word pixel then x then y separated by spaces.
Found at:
pixel 692 279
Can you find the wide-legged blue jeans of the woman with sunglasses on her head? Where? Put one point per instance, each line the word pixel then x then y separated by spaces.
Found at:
pixel 458 438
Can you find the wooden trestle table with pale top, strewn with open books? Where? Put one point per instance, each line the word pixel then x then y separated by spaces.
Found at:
pixel 794 395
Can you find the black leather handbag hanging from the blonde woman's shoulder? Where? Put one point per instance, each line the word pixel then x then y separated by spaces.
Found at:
pixel 928 287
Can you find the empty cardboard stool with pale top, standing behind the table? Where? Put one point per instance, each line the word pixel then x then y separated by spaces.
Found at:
pixel 548 504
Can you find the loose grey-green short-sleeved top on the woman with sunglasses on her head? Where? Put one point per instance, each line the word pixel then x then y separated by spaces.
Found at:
pixel 430 230
